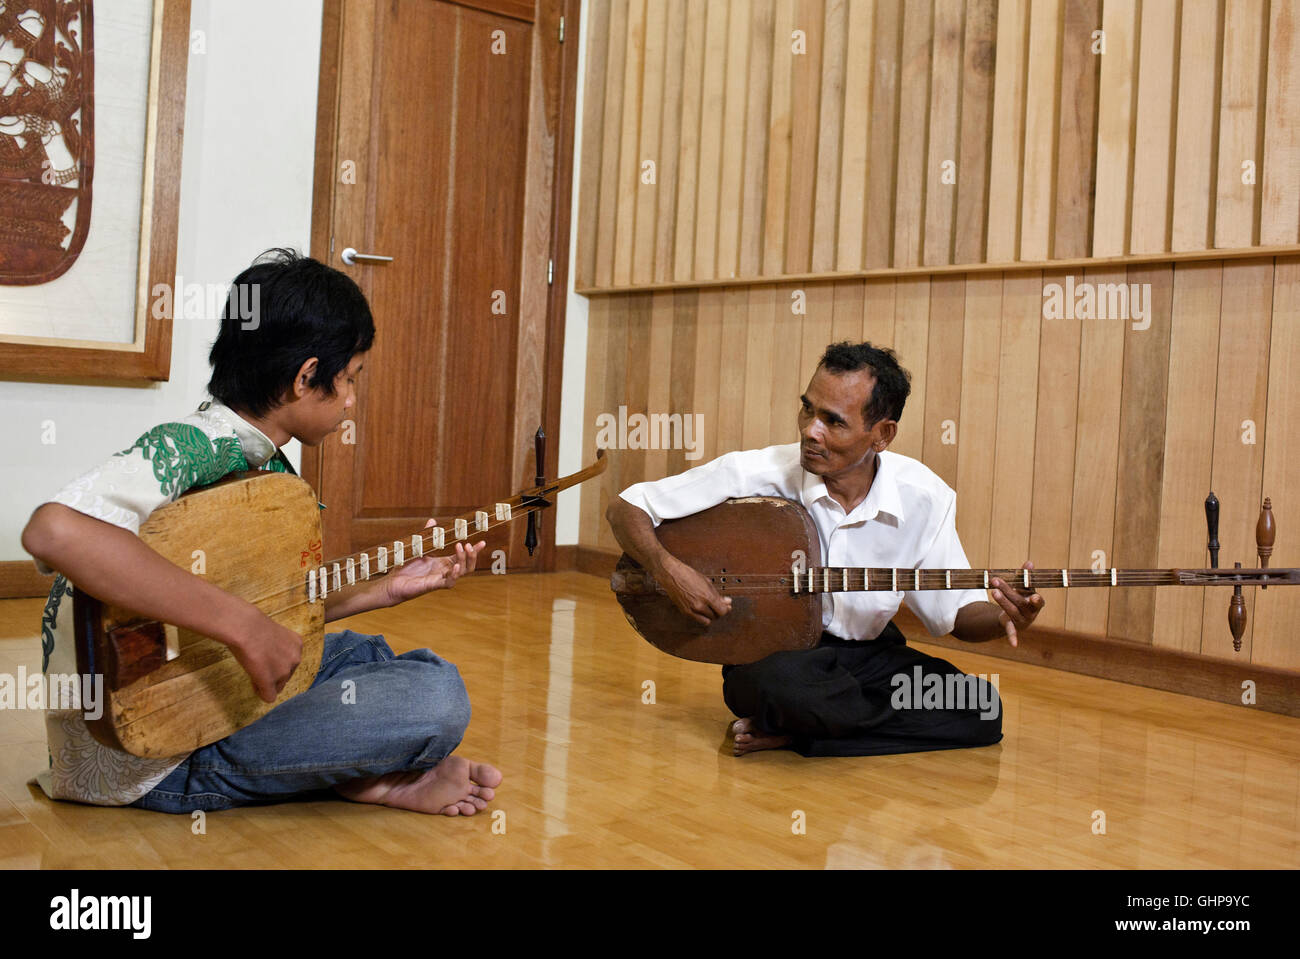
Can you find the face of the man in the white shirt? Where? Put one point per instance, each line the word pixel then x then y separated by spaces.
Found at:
pixel 835 440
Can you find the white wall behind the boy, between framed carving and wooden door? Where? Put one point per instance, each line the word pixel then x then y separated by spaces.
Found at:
pixel 246 185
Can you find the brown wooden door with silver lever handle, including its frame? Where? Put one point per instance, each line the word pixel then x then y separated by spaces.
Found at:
pixel 445 142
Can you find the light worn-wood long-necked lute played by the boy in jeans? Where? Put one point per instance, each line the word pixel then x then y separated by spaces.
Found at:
pixel 170 691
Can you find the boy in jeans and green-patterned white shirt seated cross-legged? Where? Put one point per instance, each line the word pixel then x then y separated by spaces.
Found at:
pixel 288 372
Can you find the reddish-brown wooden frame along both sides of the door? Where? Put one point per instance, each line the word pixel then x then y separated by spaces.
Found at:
pixel 549 14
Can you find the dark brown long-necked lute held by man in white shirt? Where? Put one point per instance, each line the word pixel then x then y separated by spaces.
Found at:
pixel 764 553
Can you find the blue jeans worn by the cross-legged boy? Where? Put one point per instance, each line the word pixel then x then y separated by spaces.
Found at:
pixel 367 714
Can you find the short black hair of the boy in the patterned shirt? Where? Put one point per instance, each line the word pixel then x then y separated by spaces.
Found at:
pixel 283 311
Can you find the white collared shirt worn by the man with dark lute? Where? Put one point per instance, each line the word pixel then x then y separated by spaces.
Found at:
pixel 907 522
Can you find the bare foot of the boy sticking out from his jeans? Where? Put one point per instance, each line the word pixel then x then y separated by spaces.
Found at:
pixel 453 788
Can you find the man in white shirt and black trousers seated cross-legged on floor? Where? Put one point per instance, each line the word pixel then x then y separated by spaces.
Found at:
pixel 872 509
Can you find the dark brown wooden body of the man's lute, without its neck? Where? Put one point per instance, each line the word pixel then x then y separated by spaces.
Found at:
pixel 742 535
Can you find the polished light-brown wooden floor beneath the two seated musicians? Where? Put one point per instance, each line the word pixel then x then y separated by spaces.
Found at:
pixel 596 776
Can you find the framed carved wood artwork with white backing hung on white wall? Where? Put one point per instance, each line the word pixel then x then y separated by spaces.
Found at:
pixel 92 121
